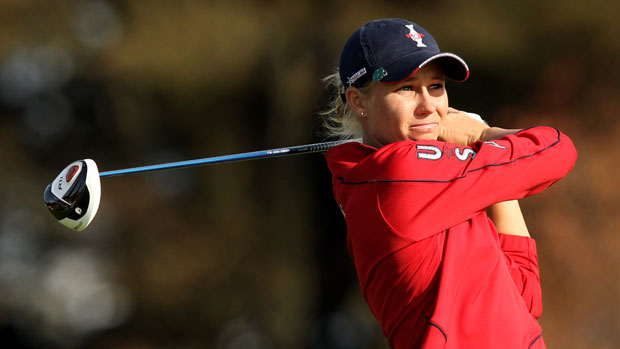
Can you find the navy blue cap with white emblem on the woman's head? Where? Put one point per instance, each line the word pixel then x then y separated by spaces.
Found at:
pixel 391 50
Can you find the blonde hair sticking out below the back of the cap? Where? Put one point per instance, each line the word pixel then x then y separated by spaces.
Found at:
pixel 338 120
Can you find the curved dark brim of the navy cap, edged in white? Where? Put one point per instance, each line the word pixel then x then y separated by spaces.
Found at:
pixel 454 67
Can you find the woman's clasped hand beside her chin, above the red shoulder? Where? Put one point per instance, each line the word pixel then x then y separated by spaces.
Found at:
pixel 459 128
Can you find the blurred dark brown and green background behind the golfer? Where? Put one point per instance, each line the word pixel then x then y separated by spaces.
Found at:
pixel 252 254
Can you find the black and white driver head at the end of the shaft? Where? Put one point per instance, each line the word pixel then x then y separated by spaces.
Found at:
pixel 73 197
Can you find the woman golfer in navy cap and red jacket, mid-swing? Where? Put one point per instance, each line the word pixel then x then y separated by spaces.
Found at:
pixel 442 254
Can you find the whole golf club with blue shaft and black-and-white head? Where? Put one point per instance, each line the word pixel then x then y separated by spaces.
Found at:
pixel 73 196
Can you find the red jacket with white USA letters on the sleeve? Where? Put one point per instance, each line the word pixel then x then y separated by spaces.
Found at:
pixel 429 261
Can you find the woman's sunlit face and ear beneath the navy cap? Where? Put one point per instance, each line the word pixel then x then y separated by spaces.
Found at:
pixel 407 110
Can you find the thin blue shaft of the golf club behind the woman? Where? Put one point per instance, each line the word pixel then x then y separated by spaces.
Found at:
pixel 286 151
